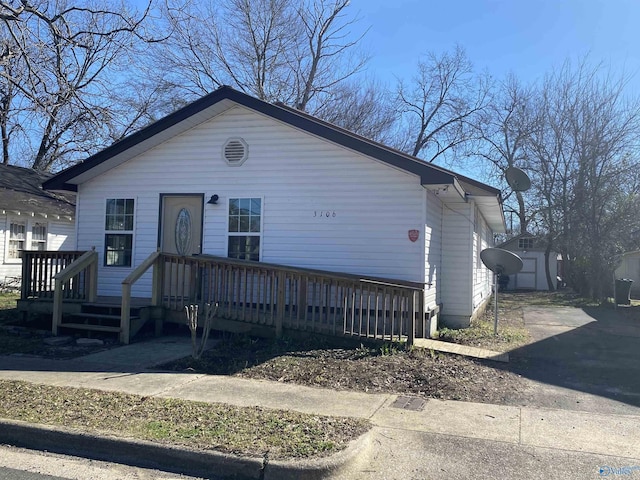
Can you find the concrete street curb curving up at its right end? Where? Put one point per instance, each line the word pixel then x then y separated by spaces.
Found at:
pixel 172 458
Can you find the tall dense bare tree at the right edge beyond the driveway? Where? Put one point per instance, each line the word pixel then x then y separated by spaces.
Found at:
pixel 587 170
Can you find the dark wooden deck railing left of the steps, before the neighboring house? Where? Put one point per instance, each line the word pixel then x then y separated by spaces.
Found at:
pixel 39 269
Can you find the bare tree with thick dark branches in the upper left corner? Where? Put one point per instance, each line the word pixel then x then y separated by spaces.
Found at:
pixel 60 69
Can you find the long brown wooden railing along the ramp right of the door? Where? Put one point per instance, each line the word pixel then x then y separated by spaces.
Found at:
pixel 301 299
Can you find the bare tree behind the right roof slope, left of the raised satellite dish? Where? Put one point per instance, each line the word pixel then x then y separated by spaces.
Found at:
pixel 441 105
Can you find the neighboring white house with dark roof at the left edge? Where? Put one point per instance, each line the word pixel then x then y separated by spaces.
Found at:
pixel 31 219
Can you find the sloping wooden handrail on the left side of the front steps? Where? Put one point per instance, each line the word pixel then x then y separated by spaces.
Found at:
pixel 85 267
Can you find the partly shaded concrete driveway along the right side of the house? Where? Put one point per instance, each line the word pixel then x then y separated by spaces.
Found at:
pixel 581 359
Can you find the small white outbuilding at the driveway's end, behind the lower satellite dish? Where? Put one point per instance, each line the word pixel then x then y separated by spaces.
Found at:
pixel 533 274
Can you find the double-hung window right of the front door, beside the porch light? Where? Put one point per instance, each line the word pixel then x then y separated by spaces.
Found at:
pixel 245 216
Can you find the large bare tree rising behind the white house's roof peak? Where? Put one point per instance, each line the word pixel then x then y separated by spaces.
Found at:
pixel 299 53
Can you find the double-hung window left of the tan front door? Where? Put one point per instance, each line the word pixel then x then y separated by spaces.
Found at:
pixel 118 239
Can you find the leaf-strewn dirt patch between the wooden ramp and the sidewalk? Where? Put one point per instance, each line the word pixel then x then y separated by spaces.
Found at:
pixel 386 369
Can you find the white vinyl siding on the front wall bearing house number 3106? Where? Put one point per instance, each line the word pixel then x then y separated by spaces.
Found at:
pixel 302 178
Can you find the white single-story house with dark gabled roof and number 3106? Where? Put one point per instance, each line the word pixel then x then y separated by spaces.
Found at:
pixel 233 176
